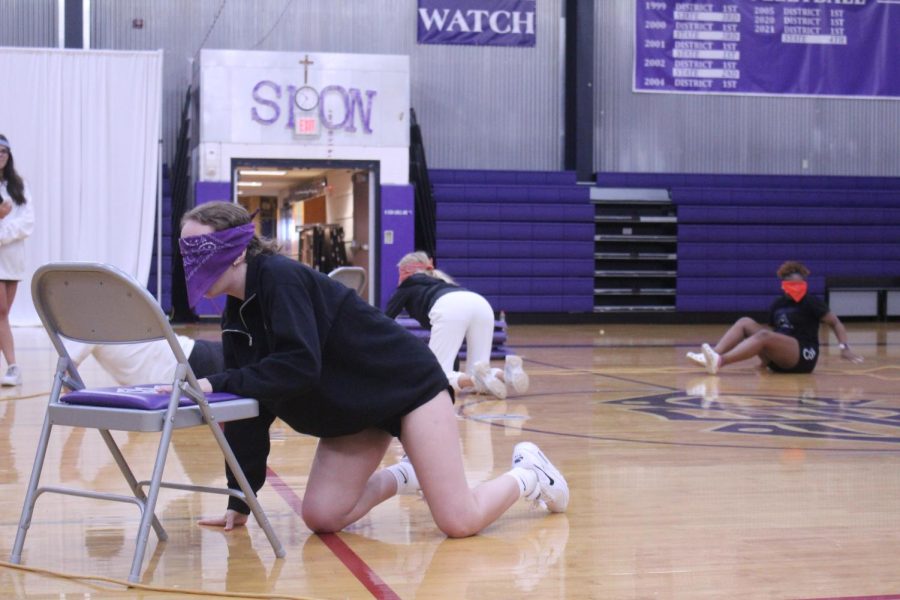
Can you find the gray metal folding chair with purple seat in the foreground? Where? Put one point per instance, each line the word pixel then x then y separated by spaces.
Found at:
pixel 99 304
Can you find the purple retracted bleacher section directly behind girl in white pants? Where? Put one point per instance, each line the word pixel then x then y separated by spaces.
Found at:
pixel 523 240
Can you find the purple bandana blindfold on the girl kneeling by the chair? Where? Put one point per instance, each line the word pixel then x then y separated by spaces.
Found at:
pixel 206 257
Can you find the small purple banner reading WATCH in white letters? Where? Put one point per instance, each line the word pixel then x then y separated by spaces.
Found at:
pixel 477 22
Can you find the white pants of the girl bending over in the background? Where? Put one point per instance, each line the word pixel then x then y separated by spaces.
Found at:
pixel 459 316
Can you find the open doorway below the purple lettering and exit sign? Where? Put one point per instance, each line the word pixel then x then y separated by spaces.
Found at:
pixel 323 213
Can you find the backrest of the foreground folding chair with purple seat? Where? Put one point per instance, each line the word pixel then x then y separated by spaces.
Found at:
pixel 98 304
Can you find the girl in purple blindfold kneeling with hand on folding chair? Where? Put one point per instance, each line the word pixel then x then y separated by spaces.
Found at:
pixel 330 365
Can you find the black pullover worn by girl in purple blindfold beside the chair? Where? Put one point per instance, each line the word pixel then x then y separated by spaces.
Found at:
pixel 318 357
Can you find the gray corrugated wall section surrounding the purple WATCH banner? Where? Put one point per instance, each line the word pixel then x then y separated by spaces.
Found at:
pixel 479 107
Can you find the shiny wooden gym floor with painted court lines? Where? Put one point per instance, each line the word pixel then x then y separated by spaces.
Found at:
pixel 745 485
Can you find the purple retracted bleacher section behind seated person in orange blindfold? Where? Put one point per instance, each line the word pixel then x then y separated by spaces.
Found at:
pixel 735 230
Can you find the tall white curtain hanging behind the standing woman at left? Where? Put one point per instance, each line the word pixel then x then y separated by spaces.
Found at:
pixel 84 127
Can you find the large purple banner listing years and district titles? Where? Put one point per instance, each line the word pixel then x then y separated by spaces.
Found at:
pixel 772 47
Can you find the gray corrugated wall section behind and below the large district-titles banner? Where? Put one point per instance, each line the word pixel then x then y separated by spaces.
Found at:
pixel 684 133
